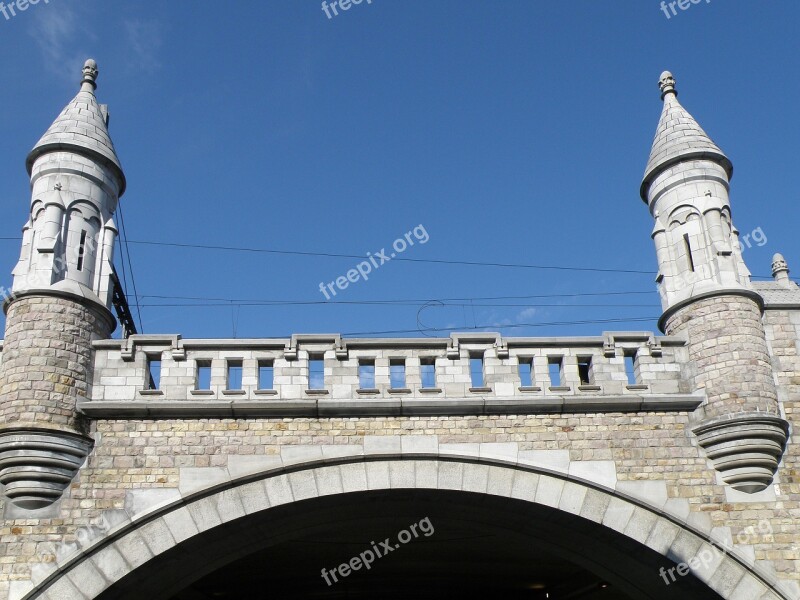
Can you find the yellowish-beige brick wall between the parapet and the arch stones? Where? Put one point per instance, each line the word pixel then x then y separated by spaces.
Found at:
pixel 652 446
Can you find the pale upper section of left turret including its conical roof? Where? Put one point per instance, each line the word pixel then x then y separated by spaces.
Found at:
pixel 76 183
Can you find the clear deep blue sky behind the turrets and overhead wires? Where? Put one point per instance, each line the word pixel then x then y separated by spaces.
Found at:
pixel 514 132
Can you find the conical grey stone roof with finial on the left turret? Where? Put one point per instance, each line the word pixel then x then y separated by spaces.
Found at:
pixel 82 127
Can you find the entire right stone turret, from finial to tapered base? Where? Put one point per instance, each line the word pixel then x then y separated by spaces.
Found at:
pixel 707 295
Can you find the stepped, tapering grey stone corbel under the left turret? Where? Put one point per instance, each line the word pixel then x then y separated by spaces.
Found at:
pixel 36 466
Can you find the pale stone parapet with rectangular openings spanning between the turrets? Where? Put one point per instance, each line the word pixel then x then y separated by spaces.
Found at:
pixel 161 376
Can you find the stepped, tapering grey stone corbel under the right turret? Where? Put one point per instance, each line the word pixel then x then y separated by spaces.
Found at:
pixel 745 448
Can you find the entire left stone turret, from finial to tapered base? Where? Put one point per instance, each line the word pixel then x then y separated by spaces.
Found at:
pixel 60 302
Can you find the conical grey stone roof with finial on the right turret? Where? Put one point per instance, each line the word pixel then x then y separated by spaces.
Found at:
pixel 678 137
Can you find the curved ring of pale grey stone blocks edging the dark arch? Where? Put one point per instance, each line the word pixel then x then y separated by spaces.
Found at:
pixel 140 541
